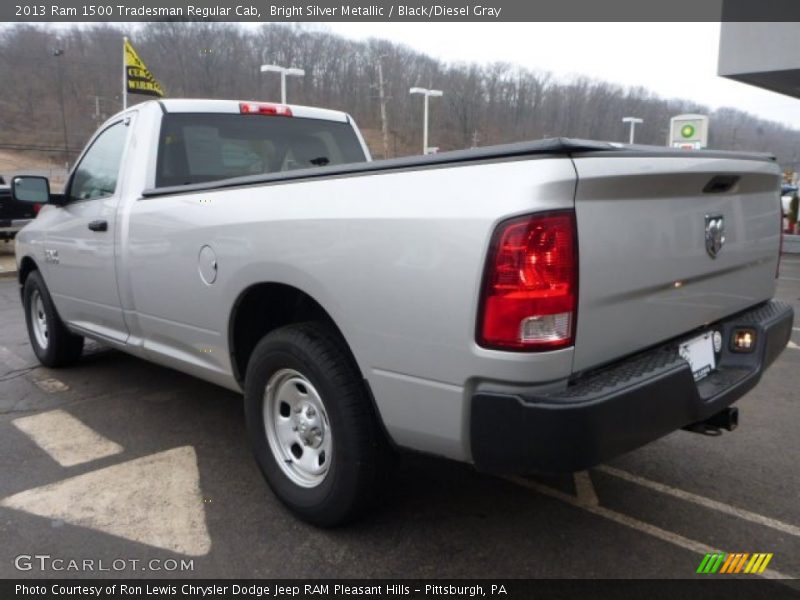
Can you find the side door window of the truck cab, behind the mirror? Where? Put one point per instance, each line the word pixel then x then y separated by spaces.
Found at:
pixel 96 175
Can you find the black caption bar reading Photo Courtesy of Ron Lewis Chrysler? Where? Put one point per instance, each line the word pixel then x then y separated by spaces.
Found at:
pixel 400 589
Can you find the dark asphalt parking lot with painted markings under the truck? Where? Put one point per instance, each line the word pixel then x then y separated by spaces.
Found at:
pixel 118 459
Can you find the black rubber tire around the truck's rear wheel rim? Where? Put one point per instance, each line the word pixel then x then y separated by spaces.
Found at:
pixel 360 453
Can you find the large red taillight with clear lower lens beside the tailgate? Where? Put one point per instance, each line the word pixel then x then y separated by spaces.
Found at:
pixel 530 289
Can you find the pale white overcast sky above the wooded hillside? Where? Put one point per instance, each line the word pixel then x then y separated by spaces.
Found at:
pixel 672 59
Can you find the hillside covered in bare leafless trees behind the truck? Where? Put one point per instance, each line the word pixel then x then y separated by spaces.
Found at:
pixel 482 104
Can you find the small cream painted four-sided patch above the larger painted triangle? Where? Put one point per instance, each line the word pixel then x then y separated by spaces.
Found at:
pixel 66 439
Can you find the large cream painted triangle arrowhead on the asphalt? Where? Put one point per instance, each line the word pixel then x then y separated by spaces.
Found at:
pixel 153 500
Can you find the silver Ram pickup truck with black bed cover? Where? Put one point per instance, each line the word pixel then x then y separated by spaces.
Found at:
pixel 539 306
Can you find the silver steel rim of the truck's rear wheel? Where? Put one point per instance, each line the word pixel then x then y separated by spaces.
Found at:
pixel 297 427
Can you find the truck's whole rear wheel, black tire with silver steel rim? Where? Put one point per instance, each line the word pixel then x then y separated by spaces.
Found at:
pixel 312 426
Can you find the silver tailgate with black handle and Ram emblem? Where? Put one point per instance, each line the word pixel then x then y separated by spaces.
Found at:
pixel 646 274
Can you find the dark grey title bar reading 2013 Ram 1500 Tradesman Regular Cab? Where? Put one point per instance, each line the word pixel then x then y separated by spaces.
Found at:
pixel 80 11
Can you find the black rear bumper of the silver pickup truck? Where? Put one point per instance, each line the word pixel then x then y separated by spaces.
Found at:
pixel 622 406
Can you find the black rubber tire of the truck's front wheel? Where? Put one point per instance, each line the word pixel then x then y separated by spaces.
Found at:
pixel 62 348
